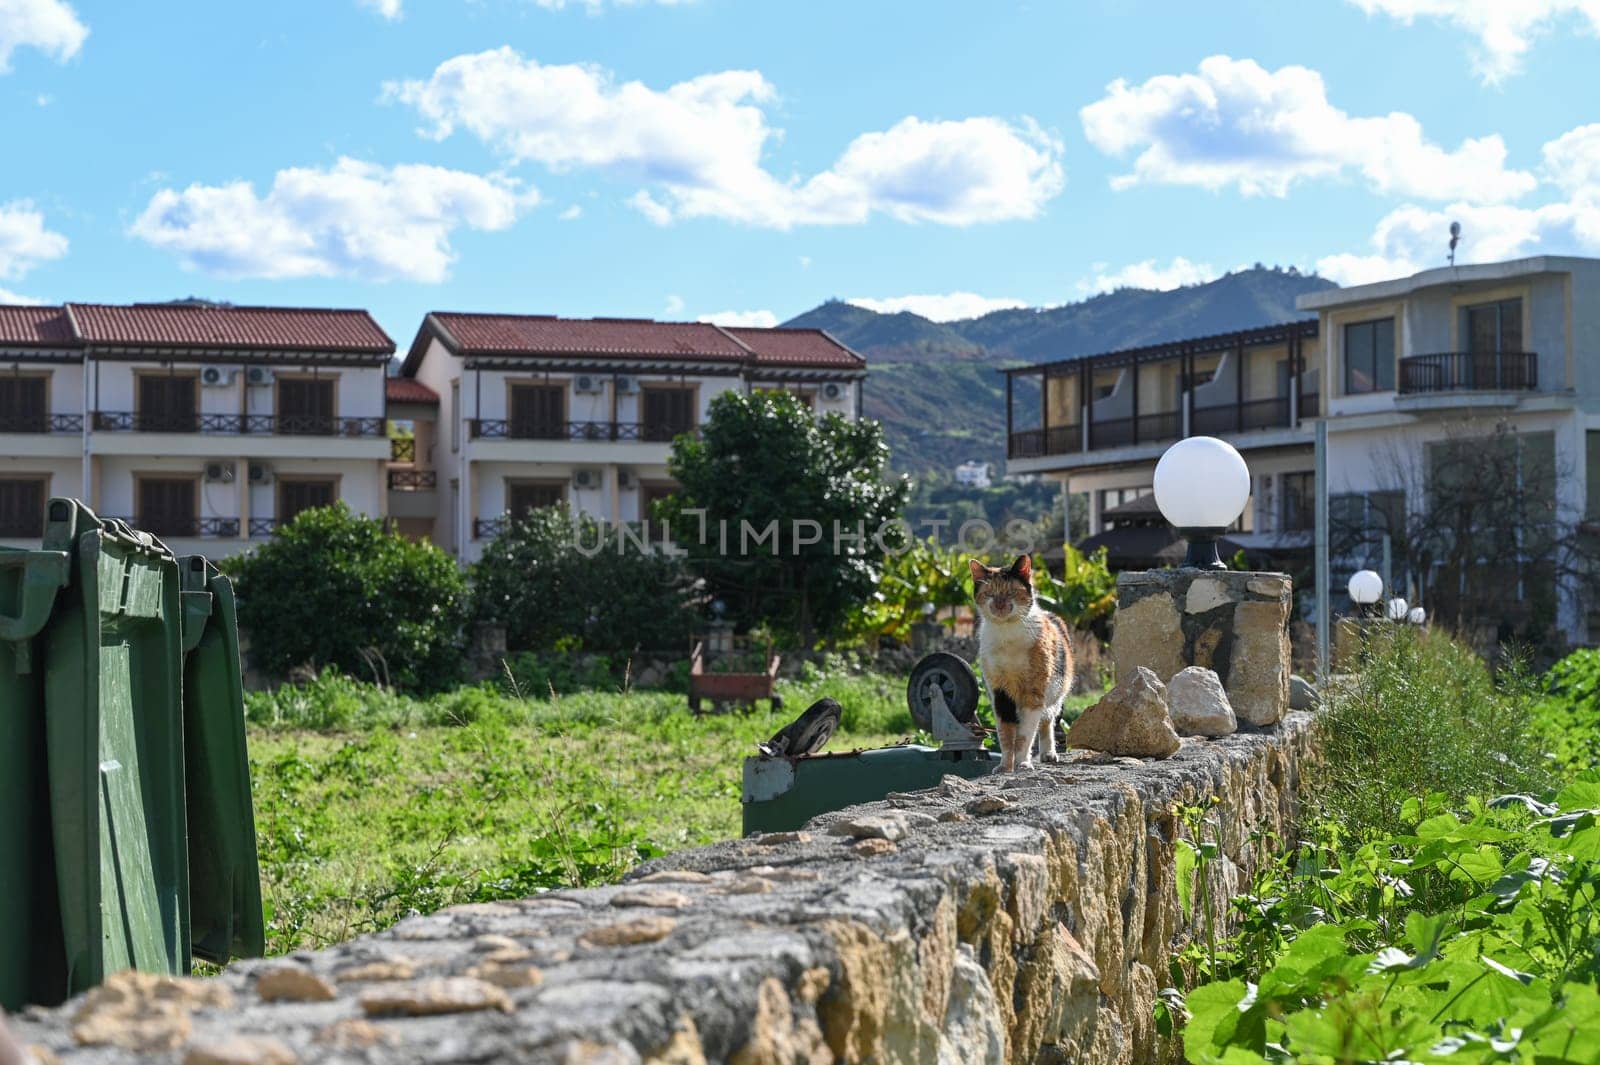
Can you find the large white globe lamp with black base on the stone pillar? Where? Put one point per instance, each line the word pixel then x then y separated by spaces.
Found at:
pixel 1201 487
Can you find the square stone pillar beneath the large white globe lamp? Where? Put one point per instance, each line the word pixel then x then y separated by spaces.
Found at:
pixel 1233 623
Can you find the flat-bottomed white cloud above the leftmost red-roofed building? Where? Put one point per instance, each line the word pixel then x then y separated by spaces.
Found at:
pixel 351 220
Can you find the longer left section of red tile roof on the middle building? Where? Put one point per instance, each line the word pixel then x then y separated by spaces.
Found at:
pixel 628 338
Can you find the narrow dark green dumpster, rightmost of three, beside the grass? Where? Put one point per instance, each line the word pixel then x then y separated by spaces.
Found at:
pixel 225 882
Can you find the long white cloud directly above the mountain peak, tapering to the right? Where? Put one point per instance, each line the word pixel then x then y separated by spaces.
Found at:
pixel 1238 124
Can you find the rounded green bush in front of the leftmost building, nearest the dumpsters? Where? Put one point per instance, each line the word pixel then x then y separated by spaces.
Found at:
pixel 338 589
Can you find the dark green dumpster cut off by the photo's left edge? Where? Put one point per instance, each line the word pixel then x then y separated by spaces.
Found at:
pixel 33 957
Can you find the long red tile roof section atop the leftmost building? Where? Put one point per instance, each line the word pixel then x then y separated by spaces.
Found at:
pixel 214 327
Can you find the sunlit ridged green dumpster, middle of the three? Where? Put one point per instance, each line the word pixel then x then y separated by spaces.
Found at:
pixel 116 757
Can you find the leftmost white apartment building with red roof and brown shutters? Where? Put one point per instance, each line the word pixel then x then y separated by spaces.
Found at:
pixel 204 425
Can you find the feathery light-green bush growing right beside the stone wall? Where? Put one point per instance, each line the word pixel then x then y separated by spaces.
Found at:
pixel 1422 716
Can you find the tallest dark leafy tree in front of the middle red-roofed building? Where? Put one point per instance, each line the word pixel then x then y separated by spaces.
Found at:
pixel 770 505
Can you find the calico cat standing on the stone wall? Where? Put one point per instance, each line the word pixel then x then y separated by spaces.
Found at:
pixel 1026 660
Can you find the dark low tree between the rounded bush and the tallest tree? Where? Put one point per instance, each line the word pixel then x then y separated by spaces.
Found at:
pixel 558 583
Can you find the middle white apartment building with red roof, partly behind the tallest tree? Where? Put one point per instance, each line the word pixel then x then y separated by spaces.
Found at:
pixel 537 410
